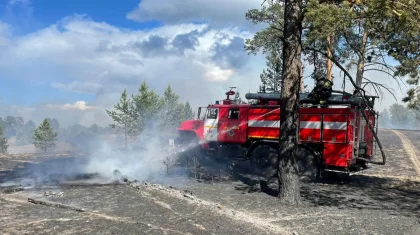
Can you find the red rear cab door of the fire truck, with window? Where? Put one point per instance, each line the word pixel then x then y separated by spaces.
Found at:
pixel 232 125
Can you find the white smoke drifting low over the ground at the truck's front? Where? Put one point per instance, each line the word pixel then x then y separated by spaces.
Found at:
pixel 145 159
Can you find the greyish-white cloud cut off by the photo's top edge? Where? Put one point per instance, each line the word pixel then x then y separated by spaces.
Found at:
pixel 218 12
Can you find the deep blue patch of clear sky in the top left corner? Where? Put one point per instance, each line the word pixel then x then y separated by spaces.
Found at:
pixel 45 12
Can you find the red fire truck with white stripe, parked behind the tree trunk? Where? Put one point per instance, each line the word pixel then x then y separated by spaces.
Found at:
pixel 340 133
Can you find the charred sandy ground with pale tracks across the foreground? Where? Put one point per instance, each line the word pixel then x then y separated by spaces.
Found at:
pixel 381 200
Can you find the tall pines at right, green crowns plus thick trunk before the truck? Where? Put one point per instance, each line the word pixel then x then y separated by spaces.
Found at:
pixel 355 35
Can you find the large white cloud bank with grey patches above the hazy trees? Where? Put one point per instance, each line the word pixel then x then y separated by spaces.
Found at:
pixel 79 55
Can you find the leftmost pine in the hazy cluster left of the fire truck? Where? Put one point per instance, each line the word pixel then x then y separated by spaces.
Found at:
pixel 125 117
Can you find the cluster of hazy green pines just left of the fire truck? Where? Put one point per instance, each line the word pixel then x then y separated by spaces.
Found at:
pixel 147 111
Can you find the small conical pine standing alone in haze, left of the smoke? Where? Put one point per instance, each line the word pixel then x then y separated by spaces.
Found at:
pixel 44 136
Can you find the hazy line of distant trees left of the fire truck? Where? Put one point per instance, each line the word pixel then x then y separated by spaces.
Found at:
pixel 132 115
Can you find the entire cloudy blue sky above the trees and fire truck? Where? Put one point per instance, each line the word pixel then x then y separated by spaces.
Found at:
pixel 71 59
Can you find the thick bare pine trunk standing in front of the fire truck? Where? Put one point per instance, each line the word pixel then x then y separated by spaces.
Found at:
pixel 289 188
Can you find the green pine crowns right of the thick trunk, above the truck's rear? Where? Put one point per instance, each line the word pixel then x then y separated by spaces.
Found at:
pixel 366 34
